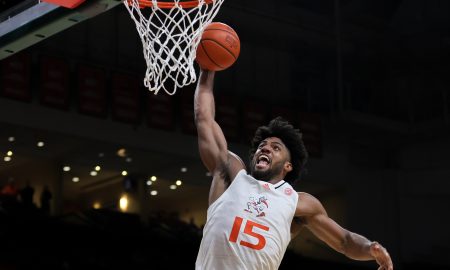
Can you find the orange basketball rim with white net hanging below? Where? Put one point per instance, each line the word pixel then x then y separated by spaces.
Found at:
pixel 170 32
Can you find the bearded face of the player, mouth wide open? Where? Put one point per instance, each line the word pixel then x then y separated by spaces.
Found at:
pixel 270 159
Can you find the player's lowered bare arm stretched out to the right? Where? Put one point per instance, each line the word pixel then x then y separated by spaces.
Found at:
pixel 350 244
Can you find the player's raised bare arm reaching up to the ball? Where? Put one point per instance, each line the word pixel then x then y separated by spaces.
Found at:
pixel 212 144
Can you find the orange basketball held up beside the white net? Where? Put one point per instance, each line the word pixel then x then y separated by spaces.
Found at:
pixel 219 47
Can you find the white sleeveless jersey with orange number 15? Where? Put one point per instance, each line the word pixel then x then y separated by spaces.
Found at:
pixel 248 226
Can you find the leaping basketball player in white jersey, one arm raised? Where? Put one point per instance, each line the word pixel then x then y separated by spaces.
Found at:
pixel 252 217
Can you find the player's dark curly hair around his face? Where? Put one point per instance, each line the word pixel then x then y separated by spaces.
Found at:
pixel 291 137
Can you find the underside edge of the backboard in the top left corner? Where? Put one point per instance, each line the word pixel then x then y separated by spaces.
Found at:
pixel 25 23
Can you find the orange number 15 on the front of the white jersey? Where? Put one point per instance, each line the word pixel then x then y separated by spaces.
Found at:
pixel 248 229
